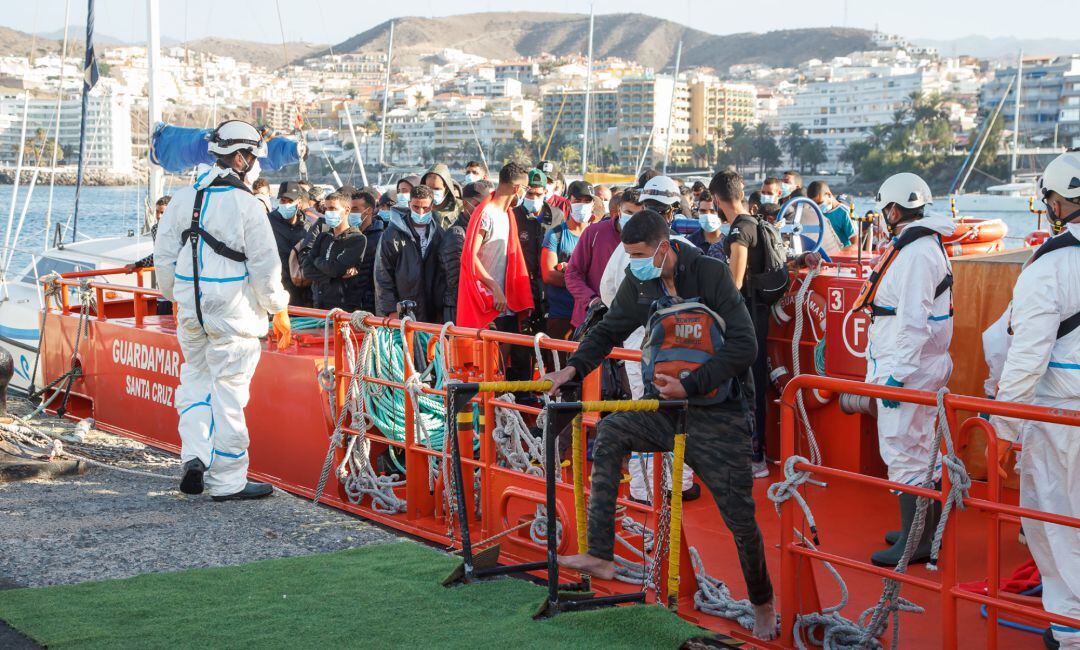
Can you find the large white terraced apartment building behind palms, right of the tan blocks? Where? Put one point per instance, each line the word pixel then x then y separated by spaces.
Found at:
pixel 843 113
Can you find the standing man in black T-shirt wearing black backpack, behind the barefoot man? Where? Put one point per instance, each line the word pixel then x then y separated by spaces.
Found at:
pixel 759 268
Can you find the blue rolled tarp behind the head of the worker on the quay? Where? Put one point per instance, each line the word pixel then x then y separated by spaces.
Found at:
pixel 179 150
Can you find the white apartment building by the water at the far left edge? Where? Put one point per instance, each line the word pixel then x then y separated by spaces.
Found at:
pixel 109 129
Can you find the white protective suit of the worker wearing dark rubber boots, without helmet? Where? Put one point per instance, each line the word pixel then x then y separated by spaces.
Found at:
pixel 913 348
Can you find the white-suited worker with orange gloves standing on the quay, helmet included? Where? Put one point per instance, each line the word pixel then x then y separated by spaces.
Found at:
pixel 218 261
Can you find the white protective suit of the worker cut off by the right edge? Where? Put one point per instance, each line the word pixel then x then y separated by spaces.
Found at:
pixel 1044 370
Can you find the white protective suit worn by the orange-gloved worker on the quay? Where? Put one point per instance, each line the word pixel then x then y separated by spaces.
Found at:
pixel 221 356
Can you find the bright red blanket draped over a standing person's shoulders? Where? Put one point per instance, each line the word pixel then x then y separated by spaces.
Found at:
pixel 476 303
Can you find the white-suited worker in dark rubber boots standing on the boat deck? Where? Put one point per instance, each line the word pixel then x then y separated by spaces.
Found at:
pixel 911 299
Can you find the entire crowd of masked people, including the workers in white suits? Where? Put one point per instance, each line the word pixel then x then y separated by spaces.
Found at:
pixel 524 252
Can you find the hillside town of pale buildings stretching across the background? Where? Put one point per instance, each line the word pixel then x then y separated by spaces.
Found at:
pixel 463 106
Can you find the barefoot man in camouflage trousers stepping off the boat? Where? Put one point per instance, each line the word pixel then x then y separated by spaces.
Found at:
pixel 719 439
